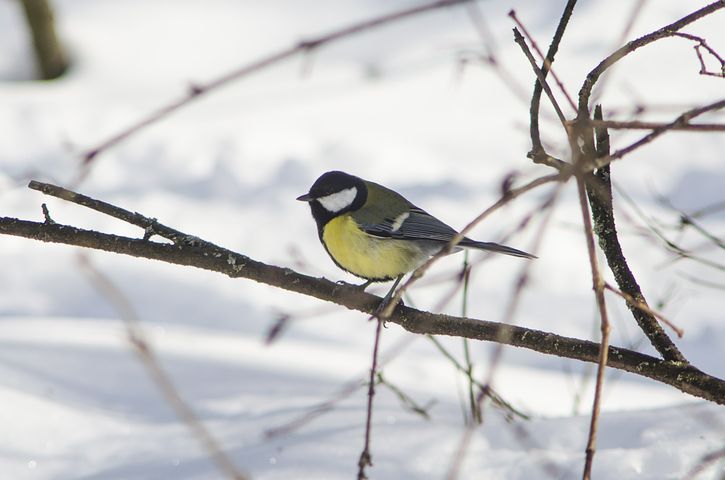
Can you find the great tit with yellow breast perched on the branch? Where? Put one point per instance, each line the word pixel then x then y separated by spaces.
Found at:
pixel 375 233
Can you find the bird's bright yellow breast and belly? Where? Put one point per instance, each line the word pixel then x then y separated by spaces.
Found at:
pixel 366 256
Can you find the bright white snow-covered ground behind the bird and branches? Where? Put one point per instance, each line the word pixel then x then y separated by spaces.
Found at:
pixel 389 105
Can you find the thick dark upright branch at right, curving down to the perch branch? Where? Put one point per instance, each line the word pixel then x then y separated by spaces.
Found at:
pixel 600 199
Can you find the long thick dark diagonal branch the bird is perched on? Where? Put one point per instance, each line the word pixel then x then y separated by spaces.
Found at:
pixel 682 376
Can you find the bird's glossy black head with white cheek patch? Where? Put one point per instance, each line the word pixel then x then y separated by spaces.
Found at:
pixel 333 194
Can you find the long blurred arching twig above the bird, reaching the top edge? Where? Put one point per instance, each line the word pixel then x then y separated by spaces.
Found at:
pixel 305 46
